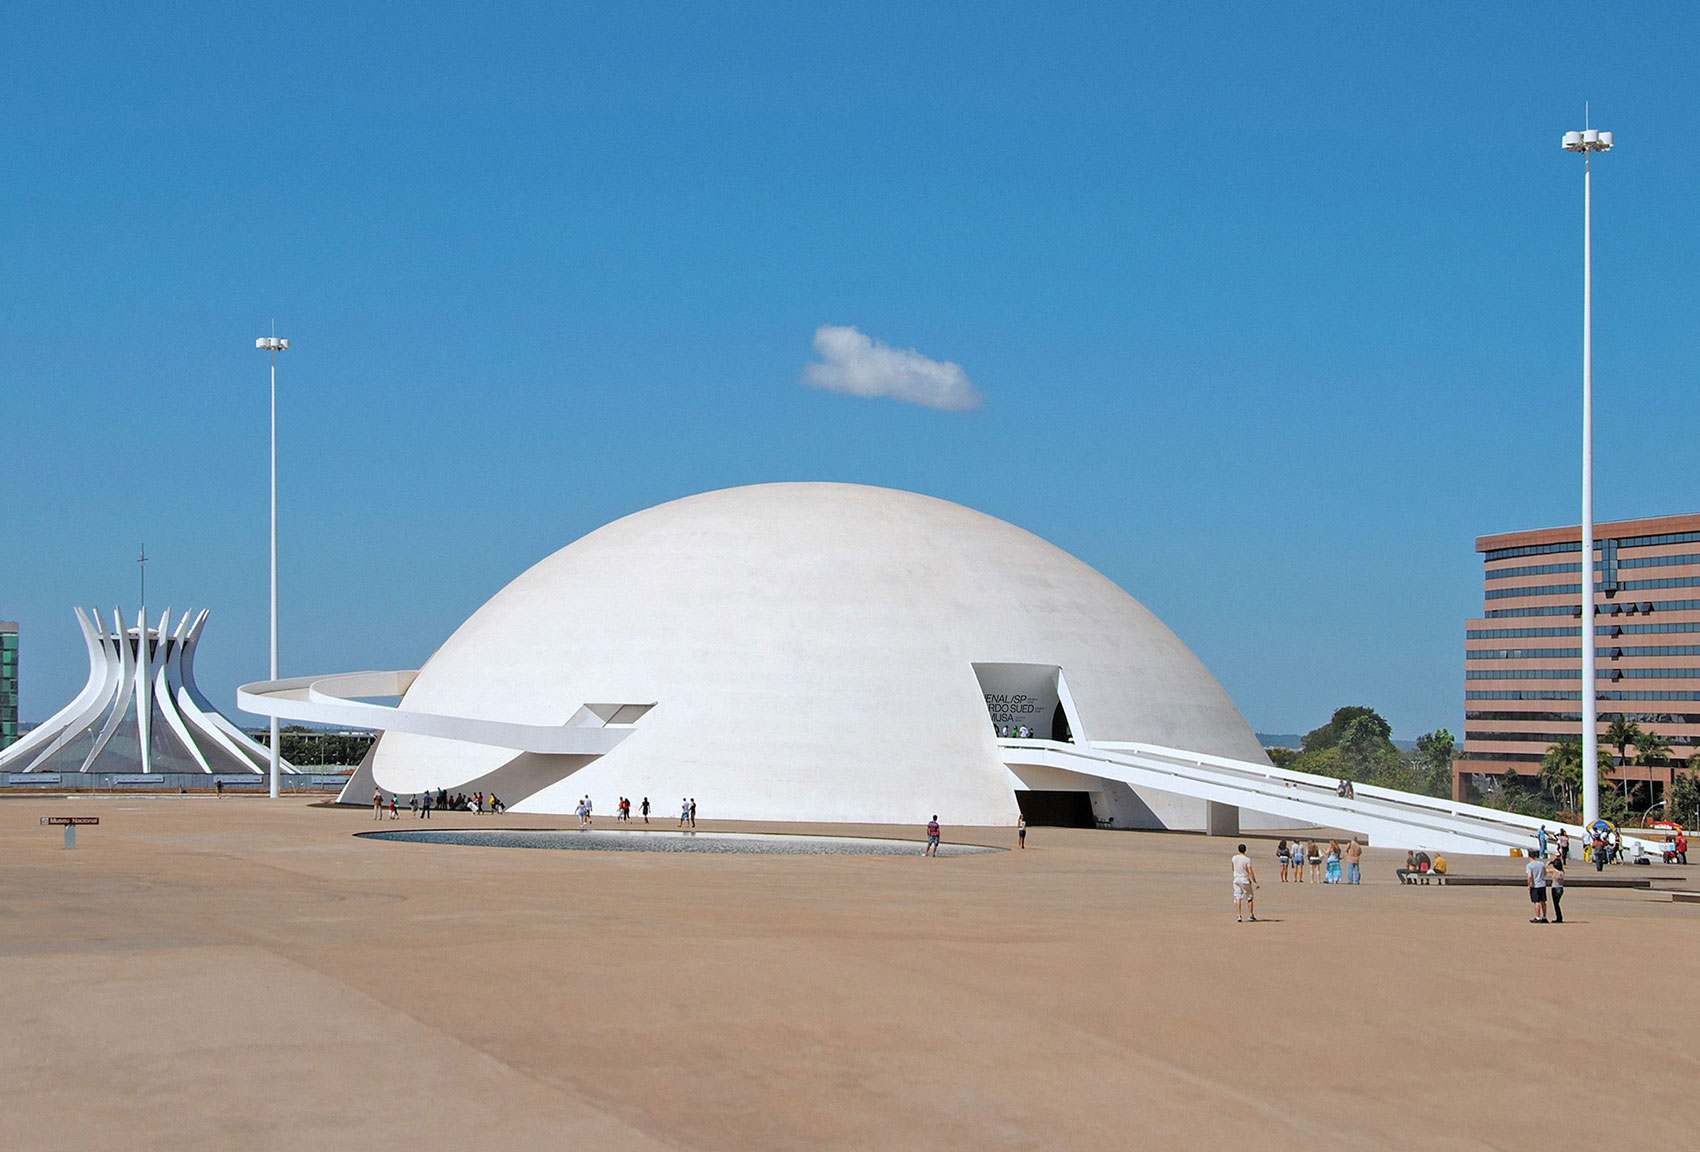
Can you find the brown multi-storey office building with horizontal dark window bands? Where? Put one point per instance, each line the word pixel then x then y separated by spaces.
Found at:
pixel 1522 658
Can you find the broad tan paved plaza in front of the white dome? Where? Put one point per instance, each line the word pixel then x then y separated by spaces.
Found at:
pixel 235 973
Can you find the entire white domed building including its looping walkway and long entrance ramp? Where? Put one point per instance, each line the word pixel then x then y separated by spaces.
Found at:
pixel 842 653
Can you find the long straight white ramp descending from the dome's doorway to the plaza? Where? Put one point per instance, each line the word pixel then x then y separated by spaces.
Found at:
pixel 1386 816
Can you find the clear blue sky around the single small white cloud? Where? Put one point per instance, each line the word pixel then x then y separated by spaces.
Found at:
pixel 1271 308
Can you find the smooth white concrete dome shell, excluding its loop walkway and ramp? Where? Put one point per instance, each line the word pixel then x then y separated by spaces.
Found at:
pixel 812 655
